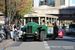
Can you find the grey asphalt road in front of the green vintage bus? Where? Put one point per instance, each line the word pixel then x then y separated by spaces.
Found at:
pixel 65 43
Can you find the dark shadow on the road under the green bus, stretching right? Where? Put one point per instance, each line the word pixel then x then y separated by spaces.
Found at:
pixel 58 39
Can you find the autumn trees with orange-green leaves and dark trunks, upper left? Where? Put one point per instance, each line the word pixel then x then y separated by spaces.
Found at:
pixel 15 8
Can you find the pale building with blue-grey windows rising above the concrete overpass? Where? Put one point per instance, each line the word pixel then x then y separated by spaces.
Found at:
pixel 52 3
